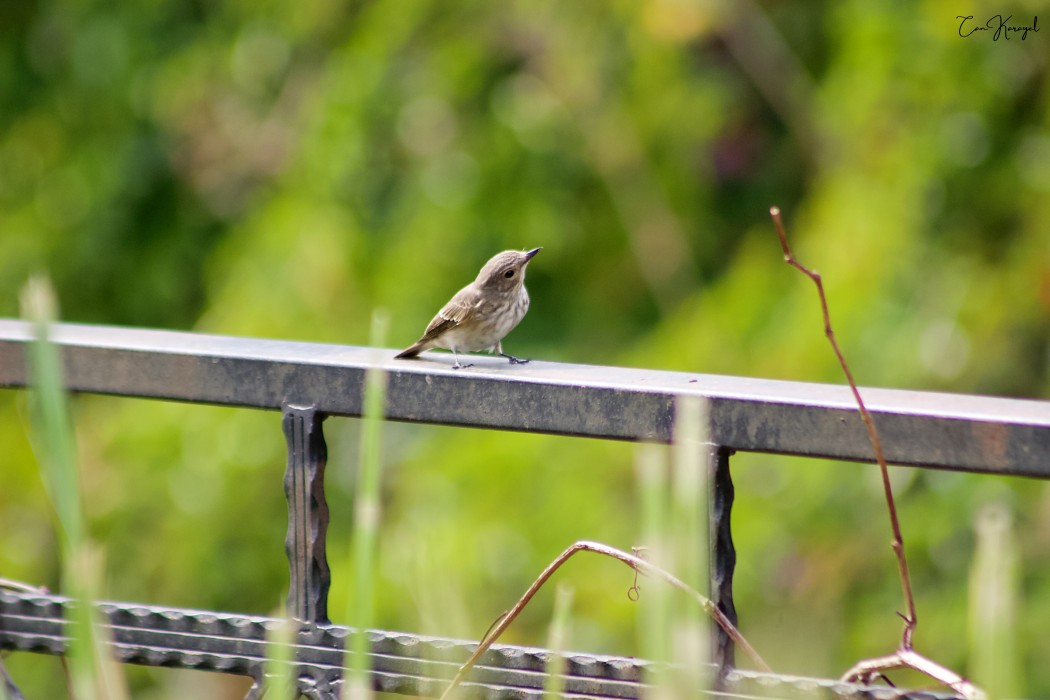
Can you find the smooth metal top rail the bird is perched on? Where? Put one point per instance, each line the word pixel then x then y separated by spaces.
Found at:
pixel 942 431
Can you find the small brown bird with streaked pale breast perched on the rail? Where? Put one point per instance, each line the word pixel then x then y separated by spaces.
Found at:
pixel 482 313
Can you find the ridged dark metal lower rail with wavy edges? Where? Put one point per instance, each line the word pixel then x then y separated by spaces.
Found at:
pixel 402 664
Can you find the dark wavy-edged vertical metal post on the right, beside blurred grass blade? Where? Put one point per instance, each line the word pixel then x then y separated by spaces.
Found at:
pixel 723 553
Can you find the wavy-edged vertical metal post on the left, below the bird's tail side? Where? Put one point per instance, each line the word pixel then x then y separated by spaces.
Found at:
pixel 308 516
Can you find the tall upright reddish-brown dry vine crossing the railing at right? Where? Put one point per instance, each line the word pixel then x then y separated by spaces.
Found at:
pixel 906 656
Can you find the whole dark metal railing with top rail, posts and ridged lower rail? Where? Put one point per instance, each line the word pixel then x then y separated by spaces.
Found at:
pixel 308 383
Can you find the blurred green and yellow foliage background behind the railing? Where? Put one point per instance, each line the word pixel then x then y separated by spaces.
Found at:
pixel 281 171
